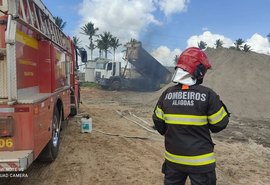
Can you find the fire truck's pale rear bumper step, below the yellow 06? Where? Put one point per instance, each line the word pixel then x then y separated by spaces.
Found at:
pixel 11 161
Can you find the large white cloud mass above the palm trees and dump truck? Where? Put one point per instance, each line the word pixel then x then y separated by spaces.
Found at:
pixel 125 19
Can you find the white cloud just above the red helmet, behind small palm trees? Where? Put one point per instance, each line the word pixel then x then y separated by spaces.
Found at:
pixel 210 40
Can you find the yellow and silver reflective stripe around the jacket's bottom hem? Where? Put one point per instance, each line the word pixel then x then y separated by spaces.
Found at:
pixel 191 160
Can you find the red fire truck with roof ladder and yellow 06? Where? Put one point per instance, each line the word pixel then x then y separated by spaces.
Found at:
pixel 39 88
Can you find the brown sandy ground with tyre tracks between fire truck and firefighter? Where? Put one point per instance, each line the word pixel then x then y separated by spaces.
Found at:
pixel 124 150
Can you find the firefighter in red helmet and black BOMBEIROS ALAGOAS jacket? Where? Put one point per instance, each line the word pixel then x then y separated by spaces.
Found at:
pixel 186 114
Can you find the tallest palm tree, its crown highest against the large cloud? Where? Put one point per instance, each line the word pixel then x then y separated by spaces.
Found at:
pixel 89 30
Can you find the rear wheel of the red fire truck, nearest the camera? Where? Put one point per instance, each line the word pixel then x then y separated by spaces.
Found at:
pixel 50 152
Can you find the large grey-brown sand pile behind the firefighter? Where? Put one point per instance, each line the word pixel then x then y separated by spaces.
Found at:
pixel 241 79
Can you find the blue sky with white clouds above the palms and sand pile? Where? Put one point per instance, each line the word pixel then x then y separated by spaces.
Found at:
pixel 167 27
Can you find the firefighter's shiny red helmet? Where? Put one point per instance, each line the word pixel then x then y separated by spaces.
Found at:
pixel 191 58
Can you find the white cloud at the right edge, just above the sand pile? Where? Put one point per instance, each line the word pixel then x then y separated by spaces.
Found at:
pixel 259 44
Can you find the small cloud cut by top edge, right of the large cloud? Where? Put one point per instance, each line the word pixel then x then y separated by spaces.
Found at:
pixel 173 6
